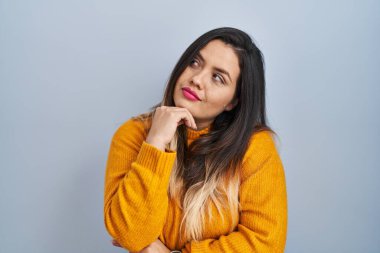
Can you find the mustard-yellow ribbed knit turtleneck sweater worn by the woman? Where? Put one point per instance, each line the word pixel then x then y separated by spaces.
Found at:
pixel 137 209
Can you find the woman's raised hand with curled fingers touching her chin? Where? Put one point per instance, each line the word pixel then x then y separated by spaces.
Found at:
pixel 165 122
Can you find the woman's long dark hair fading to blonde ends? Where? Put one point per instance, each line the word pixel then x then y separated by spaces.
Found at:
pixel 208 170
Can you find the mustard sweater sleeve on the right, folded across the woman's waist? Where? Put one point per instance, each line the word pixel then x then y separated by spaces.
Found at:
pixel 263 216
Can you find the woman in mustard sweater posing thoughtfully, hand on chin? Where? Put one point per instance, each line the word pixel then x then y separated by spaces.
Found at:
pixel 200 172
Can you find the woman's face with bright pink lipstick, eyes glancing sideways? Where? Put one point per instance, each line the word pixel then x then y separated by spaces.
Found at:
pixel 212 77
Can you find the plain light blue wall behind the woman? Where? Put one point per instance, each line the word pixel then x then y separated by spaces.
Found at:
pixel 72 71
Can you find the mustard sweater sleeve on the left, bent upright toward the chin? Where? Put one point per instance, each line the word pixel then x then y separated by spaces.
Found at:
pixel 135 193
